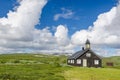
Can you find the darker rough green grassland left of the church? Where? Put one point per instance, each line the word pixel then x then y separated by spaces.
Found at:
pixel 31 67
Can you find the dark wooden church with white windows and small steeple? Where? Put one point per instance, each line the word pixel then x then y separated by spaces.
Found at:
pixel 85 58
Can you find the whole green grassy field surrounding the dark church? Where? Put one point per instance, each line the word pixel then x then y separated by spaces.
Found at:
pixel 50 67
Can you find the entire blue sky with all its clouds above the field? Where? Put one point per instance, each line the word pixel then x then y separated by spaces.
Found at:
pixel 59 25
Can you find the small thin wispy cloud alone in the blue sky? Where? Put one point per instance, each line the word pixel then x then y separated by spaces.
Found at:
pixel 66 14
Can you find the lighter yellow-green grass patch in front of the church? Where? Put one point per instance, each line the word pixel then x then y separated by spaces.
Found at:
pixel 77 73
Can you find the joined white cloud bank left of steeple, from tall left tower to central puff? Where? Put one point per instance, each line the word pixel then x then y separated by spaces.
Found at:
pixel 18 32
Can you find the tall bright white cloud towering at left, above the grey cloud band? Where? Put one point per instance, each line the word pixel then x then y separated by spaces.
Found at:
pixel 20 24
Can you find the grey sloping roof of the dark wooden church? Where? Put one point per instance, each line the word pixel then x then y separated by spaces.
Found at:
pixel 79 53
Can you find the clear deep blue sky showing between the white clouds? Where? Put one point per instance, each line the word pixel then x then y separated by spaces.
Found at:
pixel 85 12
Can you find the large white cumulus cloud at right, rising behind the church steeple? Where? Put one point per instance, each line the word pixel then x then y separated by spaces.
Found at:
pixel 105 30
